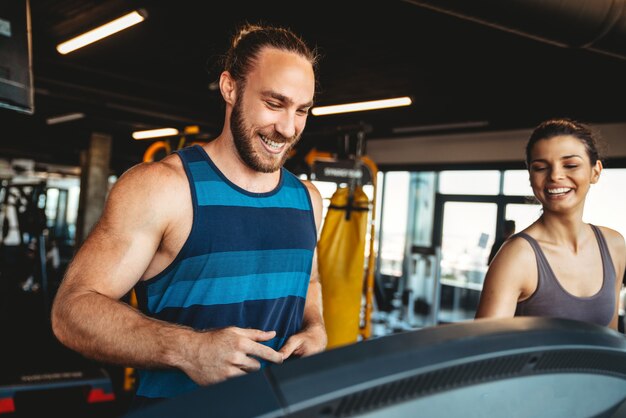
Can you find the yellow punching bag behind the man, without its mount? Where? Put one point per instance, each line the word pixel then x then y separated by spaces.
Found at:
pixel 341 257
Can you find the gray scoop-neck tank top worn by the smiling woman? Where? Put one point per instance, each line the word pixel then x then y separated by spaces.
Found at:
pixel 552 300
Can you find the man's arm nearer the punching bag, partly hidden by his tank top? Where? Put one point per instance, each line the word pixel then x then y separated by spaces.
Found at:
pixel 312 338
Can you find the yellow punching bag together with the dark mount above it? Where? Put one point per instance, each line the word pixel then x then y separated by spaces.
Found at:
pixel 347 281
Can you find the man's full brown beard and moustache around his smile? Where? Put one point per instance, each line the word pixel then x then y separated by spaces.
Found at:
pixel 243 142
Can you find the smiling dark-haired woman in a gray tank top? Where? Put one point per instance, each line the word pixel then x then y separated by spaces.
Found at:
pixel 559 266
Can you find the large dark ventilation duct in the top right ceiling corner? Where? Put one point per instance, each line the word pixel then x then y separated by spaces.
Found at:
pixel 595 25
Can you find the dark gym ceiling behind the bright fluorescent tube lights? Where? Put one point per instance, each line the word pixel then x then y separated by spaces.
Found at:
pixel 158 73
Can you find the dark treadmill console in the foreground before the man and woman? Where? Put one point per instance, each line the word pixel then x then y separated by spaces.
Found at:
pixel 514 367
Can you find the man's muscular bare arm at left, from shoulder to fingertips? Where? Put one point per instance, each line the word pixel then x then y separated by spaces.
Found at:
pixel 88 317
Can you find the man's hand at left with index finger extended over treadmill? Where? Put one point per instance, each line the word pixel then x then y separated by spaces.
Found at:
pixel 229 352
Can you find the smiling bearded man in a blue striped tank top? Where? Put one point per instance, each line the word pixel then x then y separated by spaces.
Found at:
pixel 218 241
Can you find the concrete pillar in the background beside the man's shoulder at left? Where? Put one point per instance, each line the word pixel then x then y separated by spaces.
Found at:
pixel 94 183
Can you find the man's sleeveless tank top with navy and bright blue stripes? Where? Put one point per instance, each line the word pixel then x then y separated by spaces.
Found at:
pixel 246 263
